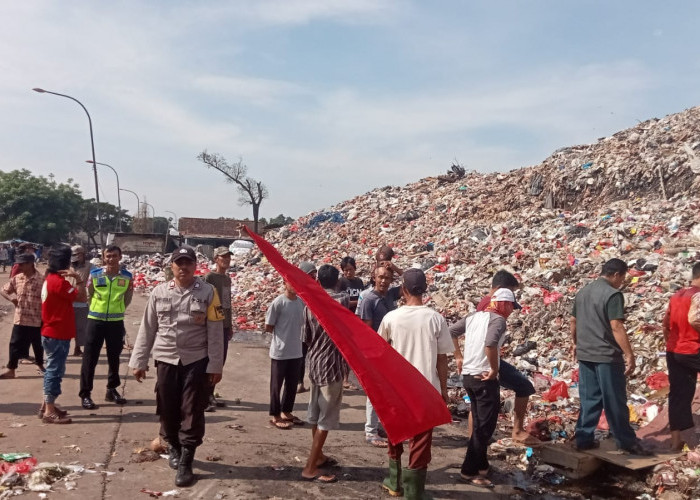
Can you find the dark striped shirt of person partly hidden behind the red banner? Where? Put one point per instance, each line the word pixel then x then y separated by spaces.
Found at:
pixel 326 364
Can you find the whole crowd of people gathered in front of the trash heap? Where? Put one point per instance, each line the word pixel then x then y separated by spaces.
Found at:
pixel 187 324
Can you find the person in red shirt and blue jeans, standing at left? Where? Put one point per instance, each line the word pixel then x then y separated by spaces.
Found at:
pixel 57 297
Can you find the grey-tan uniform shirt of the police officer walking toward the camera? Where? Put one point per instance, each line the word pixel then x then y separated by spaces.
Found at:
pixel 181 326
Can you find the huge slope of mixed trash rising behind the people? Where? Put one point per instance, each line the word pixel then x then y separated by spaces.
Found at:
pixel 552 224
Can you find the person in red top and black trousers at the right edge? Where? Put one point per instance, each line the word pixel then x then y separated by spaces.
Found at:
pixel 682 334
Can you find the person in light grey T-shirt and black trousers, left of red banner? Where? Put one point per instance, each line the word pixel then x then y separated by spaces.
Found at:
pixel 284 320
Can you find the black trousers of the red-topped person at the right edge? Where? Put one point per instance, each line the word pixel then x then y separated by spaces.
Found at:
pixel 683 372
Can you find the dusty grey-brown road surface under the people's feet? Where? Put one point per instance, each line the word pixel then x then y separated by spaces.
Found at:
pixel 242 455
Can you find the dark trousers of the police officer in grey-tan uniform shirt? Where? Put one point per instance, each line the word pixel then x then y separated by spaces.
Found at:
pixel 182 395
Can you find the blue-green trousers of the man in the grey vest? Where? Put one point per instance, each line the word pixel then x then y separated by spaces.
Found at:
pixel 602 386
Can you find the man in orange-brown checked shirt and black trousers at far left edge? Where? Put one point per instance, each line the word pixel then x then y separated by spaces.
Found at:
pixel 24 291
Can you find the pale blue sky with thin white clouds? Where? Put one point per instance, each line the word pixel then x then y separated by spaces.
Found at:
pixel 324 100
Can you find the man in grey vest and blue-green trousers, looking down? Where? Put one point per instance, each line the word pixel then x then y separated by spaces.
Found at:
pixel 605 358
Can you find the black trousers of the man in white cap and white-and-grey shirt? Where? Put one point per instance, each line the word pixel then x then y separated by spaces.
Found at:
pixel 485 397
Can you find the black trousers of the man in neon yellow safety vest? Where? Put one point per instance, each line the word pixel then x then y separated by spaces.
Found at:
pixel 98 333
